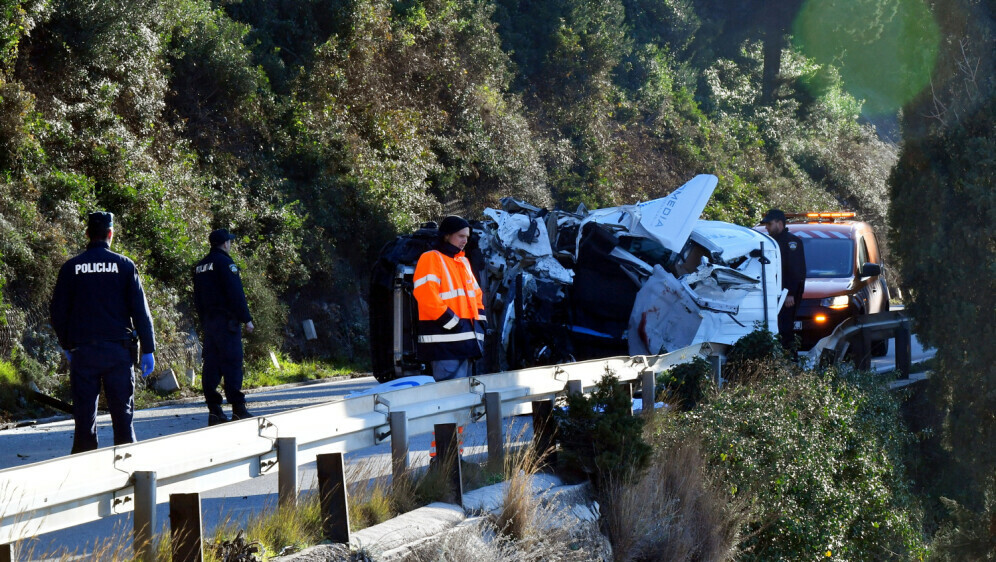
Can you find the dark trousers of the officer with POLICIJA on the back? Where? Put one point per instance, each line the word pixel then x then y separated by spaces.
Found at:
pixel 107 363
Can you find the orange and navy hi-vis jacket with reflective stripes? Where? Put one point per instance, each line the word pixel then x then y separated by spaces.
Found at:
pixel 450 307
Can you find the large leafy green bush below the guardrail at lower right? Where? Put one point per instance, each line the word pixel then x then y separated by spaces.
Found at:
pixel 817 459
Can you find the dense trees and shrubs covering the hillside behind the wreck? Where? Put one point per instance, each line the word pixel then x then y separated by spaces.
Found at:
pixel 317 130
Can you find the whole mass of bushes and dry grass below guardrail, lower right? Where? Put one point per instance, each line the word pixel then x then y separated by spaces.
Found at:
pixel 780 464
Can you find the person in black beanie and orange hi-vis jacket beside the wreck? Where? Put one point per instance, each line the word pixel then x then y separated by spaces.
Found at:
pixel 451 321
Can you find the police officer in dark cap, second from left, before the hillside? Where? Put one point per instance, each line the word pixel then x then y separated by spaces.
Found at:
pixel 222 309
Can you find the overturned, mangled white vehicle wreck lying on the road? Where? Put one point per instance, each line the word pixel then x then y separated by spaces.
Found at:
pixel 561 286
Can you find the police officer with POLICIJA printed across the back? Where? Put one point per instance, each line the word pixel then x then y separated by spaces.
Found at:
pixel 97 308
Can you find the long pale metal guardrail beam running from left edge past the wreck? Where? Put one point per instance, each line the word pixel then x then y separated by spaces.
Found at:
pixel 68 491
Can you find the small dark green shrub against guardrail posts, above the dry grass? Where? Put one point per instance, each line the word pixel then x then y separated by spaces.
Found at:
pixel 599 436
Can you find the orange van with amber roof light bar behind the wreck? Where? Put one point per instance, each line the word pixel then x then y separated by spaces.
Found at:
pixel 843 274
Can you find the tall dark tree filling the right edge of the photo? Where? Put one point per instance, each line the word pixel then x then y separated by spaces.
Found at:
pixel 945 178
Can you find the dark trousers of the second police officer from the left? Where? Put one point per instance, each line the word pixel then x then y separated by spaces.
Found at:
pixel 222 361
